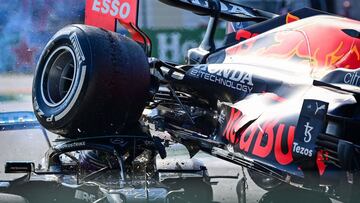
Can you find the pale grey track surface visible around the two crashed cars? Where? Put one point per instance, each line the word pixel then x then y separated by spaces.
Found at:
pixel 29 145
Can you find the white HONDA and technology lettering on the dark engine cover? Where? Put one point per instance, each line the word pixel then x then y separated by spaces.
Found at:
pixel 234 79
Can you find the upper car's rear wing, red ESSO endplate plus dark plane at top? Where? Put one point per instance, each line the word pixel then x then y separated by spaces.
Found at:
pixel 108 14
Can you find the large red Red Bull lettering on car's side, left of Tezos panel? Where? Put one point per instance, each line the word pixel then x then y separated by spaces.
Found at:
pixel 265 139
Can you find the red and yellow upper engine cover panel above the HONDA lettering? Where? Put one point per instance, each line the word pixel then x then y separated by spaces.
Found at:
pixel 321 40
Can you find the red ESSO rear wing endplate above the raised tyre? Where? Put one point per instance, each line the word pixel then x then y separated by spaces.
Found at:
pixel 108 14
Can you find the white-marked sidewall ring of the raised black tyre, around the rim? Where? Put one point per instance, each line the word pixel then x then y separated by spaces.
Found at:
pixel 56 117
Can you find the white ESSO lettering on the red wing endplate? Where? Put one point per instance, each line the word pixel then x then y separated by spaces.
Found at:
pixel 116 8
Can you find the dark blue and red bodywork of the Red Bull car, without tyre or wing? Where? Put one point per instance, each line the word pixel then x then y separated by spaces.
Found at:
pixel 286 91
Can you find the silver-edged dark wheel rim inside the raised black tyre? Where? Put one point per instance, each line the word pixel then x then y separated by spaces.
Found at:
pixel 58 76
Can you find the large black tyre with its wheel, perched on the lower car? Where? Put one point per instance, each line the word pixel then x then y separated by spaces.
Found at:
pixel 90 82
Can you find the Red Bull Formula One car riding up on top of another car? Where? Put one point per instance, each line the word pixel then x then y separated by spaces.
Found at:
pixel 280 97
